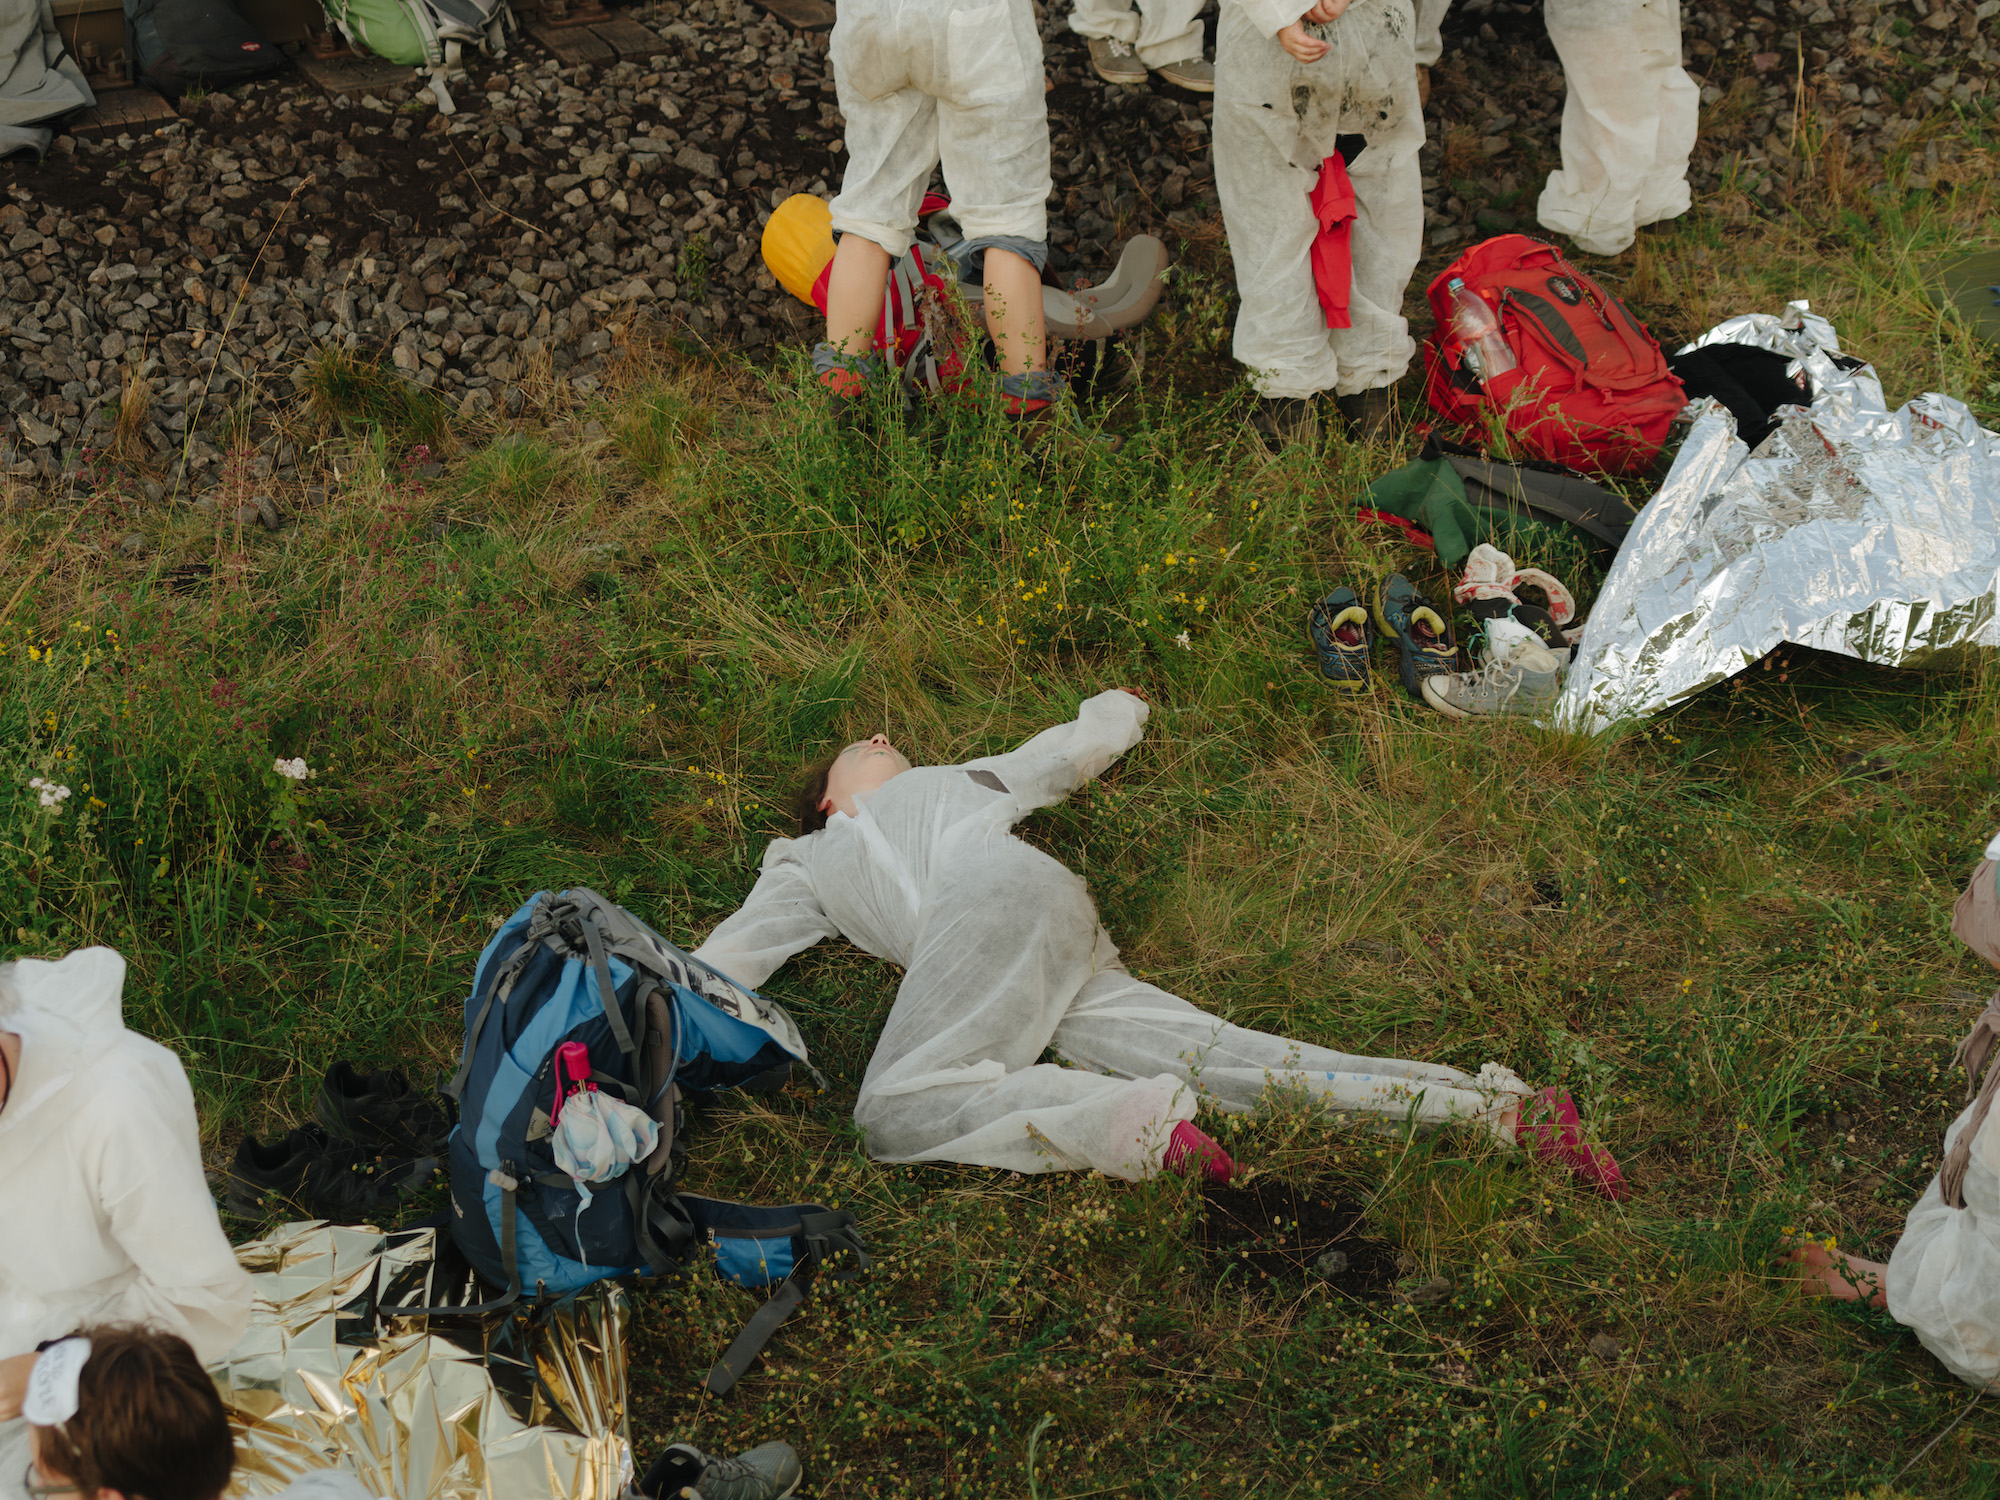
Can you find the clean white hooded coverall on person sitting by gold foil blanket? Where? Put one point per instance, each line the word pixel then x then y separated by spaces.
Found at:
pixel 105 1211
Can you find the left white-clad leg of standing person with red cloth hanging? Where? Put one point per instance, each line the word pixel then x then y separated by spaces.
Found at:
pixel 1281 333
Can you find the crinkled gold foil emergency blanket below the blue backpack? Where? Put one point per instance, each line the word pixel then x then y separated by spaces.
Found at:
pixel 511 1407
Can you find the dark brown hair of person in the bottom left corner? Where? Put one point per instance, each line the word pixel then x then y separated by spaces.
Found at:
pixel 149 1421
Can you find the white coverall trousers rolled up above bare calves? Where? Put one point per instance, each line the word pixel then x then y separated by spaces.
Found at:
pixel 955 81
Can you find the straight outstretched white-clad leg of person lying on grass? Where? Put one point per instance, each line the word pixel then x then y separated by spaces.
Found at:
pixel 1125 1027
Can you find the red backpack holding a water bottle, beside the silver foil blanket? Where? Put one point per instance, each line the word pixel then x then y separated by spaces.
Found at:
pixel 1591 391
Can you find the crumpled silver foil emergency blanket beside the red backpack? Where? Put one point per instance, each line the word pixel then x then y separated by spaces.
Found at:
pixel 1853 529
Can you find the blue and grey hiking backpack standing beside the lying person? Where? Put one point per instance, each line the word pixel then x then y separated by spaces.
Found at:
pixel 571 967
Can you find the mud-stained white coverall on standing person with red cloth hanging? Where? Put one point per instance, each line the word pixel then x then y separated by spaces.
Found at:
pixel 1275 123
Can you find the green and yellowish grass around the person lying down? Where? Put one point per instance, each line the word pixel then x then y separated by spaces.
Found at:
pixel 603 643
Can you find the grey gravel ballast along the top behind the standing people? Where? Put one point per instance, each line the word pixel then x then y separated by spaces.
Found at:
pixel 501 253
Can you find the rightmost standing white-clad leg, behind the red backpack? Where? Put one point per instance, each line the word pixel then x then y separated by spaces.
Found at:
pixel 1629 121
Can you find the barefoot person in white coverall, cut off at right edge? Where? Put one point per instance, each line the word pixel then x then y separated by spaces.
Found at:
pixel 1943 1279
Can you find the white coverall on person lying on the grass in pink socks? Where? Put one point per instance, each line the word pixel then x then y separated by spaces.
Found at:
pixel 1003 959
